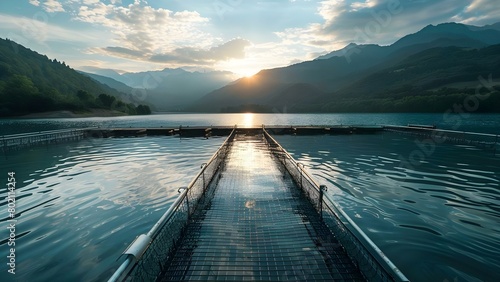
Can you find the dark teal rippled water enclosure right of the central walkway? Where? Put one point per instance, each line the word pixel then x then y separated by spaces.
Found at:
pixel 437 219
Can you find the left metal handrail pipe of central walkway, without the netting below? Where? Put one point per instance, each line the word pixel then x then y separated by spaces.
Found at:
pixel 139 247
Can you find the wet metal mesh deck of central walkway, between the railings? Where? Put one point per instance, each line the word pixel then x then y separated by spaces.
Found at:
pixel 258 227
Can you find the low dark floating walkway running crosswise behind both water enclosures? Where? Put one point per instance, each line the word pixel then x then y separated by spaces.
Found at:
pixel 19 141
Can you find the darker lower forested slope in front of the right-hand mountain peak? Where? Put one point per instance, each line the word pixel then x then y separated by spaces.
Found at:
pixel 430 81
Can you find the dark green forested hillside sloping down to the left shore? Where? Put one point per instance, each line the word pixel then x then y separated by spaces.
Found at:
pixel 30 83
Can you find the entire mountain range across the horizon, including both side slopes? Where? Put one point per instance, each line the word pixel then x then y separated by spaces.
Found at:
pixel 431 70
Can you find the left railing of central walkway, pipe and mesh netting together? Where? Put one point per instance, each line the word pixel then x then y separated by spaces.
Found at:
pixel 148 254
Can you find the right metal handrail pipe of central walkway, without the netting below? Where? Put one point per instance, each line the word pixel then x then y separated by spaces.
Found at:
pixel 357 233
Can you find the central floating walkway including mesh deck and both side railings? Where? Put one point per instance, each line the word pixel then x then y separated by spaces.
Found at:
pixel 254 214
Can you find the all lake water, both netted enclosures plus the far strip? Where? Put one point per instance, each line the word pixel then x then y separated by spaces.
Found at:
pixel 80 204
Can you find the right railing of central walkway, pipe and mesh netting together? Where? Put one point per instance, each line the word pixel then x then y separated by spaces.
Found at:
pixel 372 262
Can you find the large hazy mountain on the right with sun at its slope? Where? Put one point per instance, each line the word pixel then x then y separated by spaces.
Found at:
pixel 440 62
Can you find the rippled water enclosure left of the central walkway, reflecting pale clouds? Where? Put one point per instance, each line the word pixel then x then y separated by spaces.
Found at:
pixel 80 204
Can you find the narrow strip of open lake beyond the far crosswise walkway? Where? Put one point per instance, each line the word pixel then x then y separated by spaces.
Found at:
pixel 478 122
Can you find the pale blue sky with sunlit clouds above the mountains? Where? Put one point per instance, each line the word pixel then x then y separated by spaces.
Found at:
pixel 241 36
